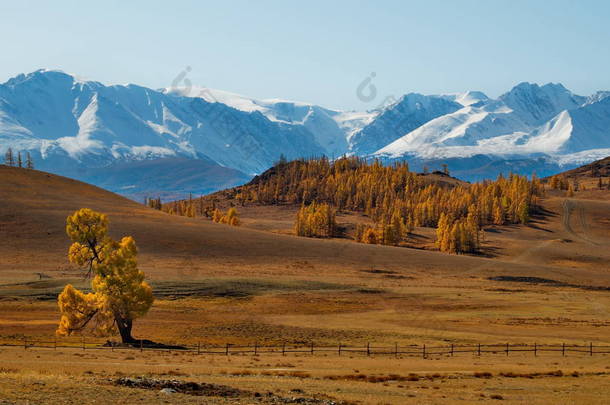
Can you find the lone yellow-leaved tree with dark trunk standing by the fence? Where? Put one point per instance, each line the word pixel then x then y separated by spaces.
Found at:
pixel 120 293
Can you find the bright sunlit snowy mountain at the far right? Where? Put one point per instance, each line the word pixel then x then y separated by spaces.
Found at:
pixel 529 120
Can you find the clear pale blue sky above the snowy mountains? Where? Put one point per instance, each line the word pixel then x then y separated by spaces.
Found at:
pixel 316 51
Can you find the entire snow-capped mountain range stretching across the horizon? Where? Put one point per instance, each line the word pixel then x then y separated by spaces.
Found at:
pixel 170 142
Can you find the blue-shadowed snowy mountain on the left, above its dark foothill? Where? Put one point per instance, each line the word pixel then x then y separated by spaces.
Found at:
pixel 53 113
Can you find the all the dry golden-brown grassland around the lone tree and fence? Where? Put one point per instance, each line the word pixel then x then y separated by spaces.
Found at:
pixel 548 282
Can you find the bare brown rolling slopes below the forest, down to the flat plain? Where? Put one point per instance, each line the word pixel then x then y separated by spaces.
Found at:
pixel 35 205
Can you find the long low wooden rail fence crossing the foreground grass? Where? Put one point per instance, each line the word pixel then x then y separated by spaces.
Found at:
pixel 340 349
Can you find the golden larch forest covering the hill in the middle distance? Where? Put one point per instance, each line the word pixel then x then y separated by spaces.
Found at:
pixel 396 199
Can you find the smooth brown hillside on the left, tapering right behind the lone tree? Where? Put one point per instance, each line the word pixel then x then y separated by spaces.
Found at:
pixel 33 215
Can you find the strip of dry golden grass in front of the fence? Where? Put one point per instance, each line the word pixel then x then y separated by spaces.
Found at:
pixel 75 377
